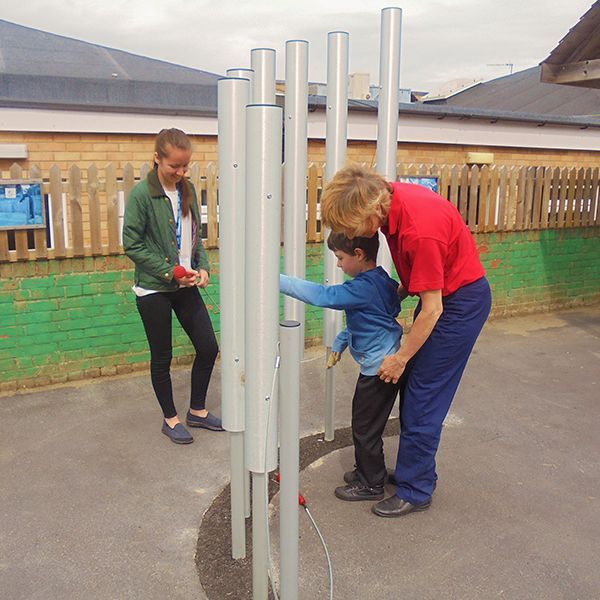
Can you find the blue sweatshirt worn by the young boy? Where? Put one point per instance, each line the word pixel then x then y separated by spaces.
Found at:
pixel 371 303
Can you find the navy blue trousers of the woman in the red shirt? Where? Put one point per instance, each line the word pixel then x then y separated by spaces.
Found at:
pixel 431 381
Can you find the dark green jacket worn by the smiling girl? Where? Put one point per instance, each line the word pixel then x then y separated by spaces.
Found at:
pixel 149 237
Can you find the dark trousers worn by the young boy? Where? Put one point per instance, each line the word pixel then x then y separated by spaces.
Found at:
pixel 371 407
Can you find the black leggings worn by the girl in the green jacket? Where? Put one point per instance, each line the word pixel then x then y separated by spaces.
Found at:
pixel 155 310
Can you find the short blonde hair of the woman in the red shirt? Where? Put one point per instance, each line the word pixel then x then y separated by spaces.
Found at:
pixel 352 198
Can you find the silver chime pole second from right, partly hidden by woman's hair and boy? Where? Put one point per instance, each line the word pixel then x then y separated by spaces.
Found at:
pixel 335 151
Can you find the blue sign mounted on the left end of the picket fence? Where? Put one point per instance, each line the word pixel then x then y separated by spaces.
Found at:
pixel 22 205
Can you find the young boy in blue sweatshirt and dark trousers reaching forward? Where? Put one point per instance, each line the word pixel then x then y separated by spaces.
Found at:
pixel 372 304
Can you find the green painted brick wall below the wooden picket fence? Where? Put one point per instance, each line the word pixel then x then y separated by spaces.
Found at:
pixel 72 319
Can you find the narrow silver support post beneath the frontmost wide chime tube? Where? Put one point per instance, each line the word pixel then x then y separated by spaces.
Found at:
pixel 260 553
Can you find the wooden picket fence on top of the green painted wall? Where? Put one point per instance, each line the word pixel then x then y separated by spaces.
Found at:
pixel 86 205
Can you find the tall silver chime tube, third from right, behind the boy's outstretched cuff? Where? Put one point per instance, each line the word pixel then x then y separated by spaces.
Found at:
pixel 294 173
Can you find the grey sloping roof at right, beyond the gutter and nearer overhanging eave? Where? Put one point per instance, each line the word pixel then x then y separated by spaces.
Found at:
pixel 523 92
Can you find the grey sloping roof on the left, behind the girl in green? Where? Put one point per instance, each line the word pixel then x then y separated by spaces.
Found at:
pixel 44 69
